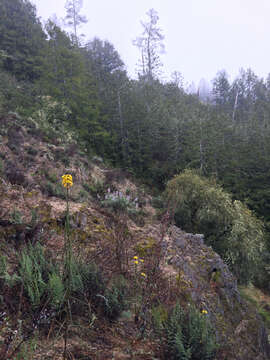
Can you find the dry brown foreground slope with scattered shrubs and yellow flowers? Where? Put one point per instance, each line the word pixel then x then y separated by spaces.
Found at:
pixel 112 220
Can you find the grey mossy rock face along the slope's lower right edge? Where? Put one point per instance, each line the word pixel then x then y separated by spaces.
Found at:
pixel 207 281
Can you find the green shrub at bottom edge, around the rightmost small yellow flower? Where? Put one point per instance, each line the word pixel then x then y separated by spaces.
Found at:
pixel 189 336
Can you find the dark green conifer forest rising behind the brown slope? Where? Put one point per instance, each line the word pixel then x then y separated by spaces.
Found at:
pixel 151 128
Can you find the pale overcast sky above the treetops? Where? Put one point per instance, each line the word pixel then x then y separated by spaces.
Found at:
pixel 201 36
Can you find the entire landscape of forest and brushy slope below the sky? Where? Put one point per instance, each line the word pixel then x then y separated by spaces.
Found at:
pixel 168 213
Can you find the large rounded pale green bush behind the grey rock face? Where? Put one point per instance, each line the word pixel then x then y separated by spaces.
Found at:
pixel 229 226
